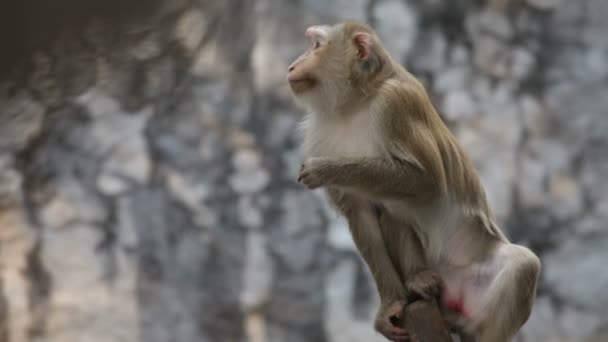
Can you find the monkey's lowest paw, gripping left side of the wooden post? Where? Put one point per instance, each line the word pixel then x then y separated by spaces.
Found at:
pixel 388 319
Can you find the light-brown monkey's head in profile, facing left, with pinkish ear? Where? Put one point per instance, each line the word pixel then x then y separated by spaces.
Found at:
pixel 339 65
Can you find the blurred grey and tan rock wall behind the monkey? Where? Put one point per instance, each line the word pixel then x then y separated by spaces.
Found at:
pixel 147 158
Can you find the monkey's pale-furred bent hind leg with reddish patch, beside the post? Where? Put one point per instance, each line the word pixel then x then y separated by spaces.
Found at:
pixel 494 298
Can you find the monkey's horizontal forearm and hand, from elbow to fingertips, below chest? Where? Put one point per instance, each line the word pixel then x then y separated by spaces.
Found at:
pixel 378 177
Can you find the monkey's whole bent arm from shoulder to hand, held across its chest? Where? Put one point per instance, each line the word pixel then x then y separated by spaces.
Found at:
pixel 410 132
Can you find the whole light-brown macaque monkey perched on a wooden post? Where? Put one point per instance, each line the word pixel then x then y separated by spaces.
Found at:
pixel 415 206
